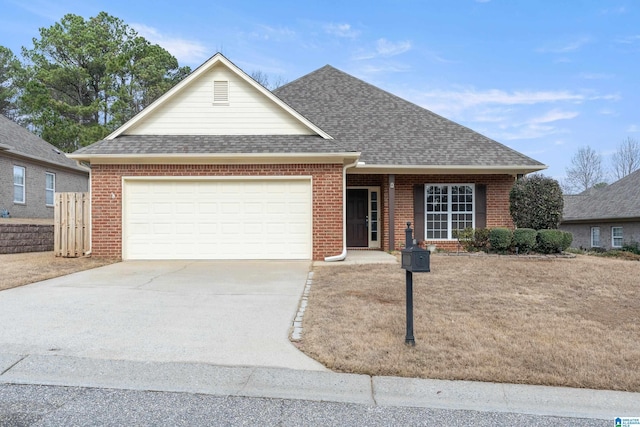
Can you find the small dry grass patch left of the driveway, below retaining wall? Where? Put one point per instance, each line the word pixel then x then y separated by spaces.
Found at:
pixel 21 269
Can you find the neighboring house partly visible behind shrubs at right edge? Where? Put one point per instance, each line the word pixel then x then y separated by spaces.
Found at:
pixel 605 218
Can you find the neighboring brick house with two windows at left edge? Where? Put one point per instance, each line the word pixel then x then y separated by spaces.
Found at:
pixel 31 171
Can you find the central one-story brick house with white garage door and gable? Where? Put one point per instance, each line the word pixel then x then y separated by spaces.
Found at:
pixel 221 168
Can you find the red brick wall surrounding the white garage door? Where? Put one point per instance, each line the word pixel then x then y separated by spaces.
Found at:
pixel 106 192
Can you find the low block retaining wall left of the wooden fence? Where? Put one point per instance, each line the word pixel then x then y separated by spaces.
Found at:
pixel 18 238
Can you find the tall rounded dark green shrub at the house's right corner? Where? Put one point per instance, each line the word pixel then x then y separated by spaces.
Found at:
pixel 536 201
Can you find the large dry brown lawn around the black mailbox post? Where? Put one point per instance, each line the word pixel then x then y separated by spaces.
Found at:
pixel 563 322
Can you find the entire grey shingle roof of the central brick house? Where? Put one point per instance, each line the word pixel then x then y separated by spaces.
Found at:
pixel 386 129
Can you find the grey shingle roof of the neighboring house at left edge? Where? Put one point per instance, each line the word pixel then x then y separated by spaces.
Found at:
pixel 19 141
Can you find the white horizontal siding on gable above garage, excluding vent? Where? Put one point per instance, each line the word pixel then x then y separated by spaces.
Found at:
pixel 192 111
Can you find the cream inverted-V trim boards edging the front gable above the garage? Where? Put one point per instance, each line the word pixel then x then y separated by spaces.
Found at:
pixel 216 59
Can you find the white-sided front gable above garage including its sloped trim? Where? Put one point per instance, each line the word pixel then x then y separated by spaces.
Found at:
pixel 189 108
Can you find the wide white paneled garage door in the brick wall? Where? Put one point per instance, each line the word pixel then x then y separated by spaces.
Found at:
pixel 217 219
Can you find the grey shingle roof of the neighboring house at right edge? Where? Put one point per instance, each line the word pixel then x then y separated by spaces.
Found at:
pixel 620 200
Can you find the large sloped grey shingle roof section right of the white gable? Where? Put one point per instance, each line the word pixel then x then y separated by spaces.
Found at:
pixel 390 131
